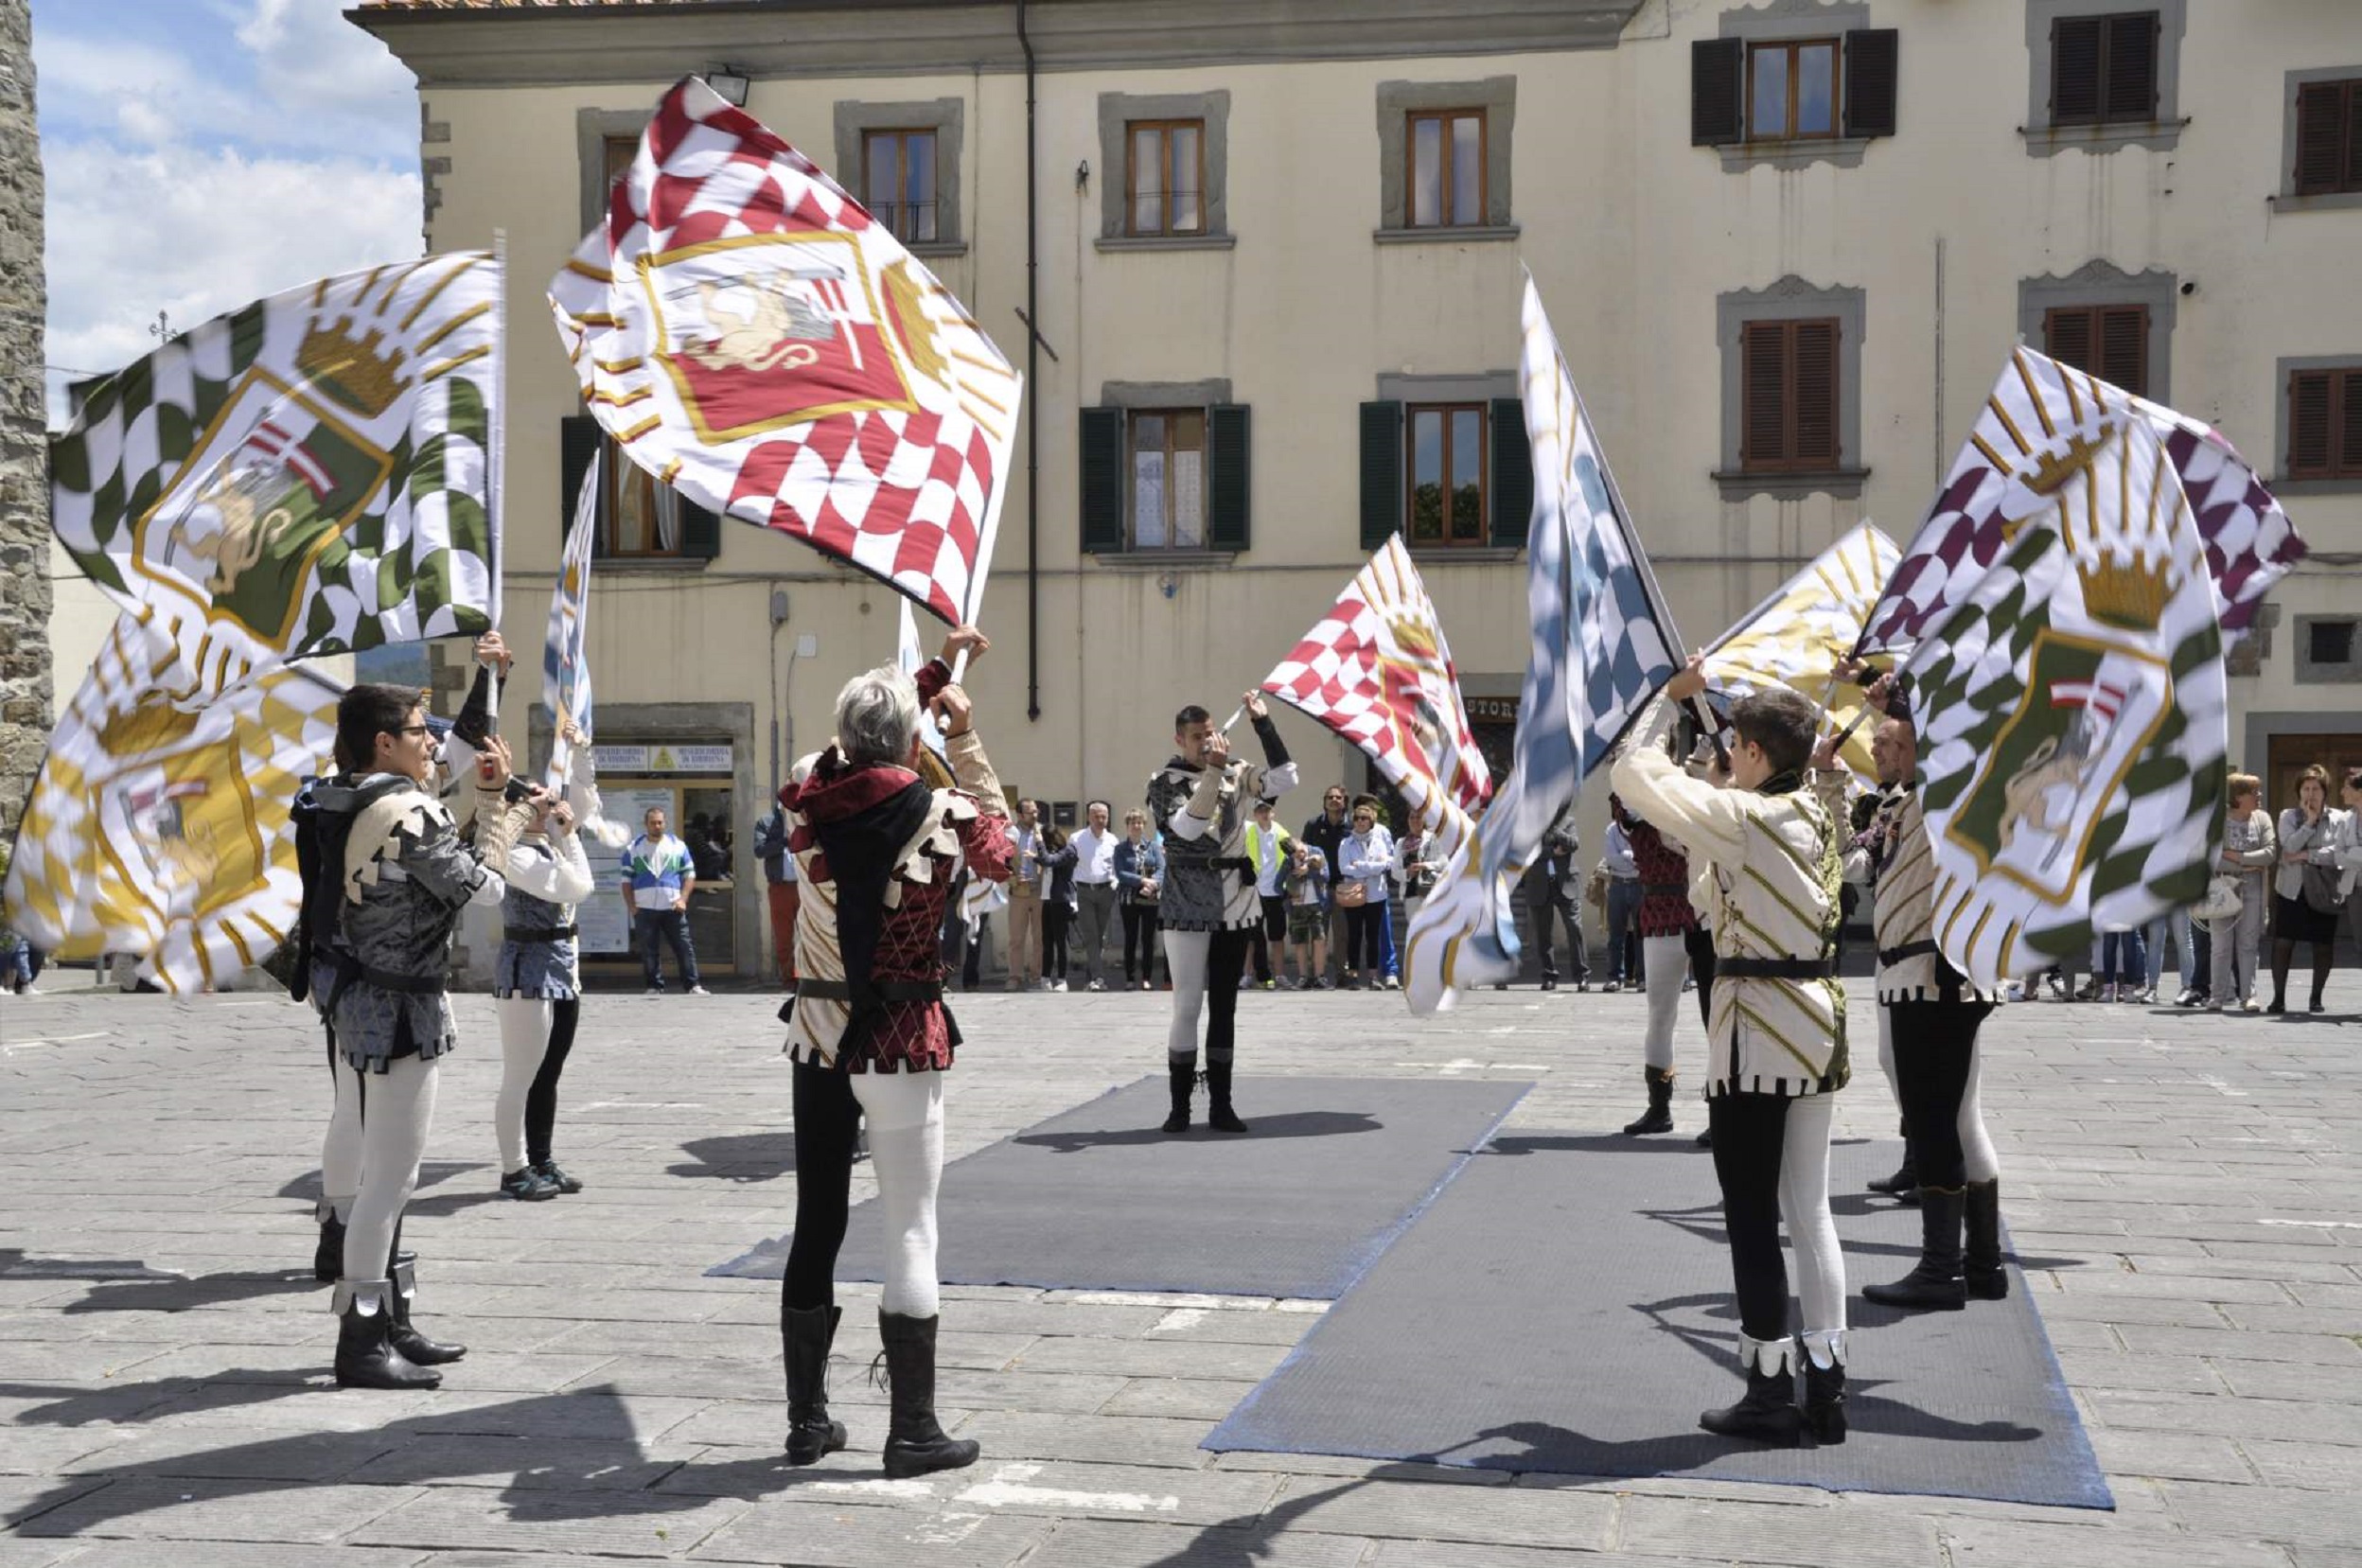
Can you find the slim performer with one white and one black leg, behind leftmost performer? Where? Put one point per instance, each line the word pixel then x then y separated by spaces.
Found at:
pixel 537 986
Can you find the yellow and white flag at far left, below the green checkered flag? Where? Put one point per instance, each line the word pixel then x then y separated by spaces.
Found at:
pixel 159 823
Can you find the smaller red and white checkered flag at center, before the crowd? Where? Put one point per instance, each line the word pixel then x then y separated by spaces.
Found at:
pixel 1381 674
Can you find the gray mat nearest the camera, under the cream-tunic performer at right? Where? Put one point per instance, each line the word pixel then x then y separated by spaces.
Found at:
pixel 1567 1307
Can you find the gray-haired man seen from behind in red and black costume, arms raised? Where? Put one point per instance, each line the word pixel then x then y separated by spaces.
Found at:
pixel 877 851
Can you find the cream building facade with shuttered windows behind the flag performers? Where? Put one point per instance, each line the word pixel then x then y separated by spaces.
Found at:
pixel 1274 256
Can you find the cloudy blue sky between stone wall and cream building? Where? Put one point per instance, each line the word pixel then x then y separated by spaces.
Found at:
pixel 209 152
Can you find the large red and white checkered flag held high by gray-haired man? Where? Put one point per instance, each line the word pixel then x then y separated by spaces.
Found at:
pixel 757 341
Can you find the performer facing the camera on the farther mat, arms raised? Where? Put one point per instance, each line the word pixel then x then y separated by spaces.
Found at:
pixel 1201 802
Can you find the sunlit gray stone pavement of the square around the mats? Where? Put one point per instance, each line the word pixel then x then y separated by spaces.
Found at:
pixel 164 1350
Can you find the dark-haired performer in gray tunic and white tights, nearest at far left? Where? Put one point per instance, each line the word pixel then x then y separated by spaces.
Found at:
pixel 386 882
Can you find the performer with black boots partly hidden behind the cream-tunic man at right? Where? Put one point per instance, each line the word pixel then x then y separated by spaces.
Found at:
pixel 1931 1017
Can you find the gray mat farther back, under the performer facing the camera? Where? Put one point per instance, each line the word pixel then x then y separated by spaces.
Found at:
pixel 1100 1198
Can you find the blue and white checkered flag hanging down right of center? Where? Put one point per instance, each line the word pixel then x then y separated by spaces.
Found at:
pixel 1603 646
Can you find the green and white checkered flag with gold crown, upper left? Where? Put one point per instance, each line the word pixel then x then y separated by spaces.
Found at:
pixel 306 476
